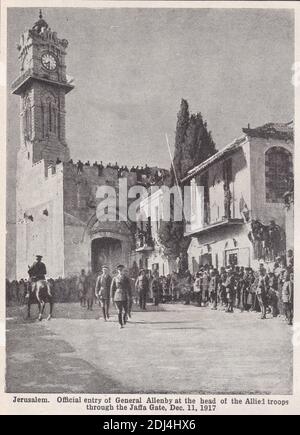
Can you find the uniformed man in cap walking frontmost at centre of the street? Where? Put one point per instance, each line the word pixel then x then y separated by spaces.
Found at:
pixel 120 293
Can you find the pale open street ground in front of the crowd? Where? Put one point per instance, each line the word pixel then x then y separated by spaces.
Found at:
pixel 175 349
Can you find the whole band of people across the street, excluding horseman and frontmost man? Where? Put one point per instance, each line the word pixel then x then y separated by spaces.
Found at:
pixel 268 291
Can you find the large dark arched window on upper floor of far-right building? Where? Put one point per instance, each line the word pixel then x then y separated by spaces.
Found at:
pixel 278 167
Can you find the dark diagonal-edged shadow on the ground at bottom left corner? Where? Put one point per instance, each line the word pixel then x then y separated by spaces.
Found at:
pixel 52 368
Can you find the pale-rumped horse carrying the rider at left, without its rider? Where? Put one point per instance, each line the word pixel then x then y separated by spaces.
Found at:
pixel 40 293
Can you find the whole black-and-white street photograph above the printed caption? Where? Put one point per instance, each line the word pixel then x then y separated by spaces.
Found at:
pixel 150 200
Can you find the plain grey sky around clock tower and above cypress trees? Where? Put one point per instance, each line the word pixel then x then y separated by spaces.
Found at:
pixel 132 67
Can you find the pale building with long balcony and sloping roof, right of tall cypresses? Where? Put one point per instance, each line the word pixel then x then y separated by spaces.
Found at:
pixel 237 206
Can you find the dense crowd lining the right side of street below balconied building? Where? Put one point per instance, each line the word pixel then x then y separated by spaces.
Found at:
pixel 241 288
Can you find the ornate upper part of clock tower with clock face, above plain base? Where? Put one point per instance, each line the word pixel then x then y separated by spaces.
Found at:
pixel 42 86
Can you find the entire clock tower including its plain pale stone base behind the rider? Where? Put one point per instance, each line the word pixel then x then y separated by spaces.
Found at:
pixel 42 85
